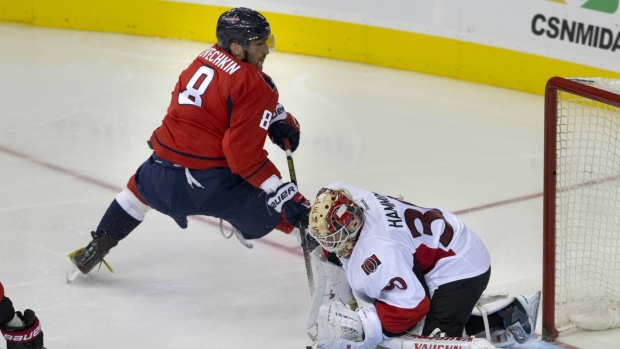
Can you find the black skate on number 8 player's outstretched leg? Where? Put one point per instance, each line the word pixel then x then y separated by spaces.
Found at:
pixel 86 258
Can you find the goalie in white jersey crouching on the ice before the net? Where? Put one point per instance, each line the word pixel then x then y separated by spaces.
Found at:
pixel 409 264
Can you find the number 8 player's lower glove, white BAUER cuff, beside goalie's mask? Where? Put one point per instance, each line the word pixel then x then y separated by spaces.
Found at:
pixel 288 201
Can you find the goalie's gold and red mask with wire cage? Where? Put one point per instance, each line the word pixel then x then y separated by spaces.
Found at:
pixel 335 221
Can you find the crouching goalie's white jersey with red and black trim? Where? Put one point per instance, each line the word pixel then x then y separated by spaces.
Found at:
pixel 395 232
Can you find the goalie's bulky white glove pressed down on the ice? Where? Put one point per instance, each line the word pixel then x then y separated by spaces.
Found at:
pixel 339 327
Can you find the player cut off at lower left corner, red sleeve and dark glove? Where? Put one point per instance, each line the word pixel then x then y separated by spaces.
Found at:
pixel 21 331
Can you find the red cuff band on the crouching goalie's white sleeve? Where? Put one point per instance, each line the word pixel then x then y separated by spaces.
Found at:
pixel 398 320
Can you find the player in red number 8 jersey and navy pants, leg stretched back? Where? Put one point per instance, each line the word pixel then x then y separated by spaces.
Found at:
pixel 208 157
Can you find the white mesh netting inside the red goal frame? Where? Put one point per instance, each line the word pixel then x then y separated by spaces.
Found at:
pixel 587 203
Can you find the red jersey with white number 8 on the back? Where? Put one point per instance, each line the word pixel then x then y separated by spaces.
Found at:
pixel 218 116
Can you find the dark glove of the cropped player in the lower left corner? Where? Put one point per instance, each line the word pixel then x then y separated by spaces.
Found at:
pixel 29 336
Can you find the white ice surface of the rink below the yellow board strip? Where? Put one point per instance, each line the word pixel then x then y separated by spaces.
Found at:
pixel 76 109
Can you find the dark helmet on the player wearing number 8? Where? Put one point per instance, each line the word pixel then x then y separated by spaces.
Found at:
pixel 242 25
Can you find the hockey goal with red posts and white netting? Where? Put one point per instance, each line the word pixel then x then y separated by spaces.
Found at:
pixel 581 223
